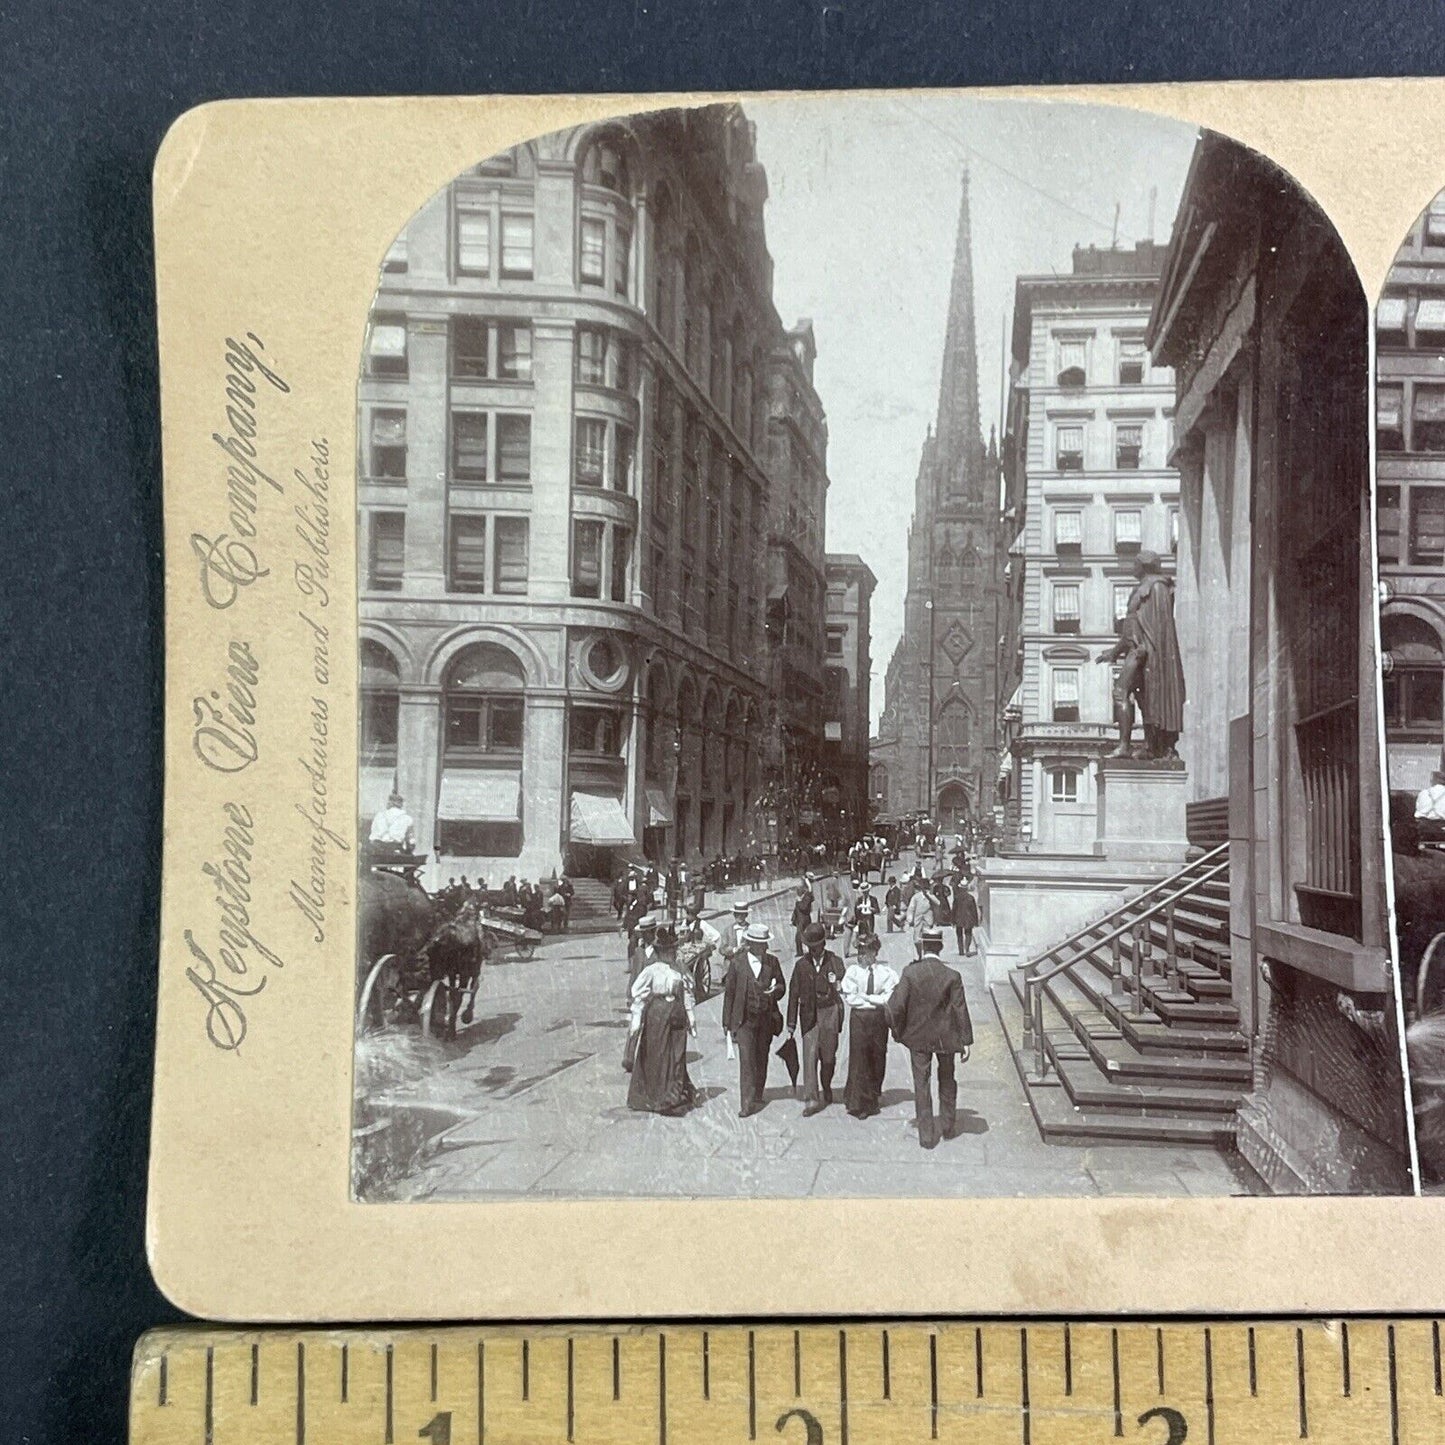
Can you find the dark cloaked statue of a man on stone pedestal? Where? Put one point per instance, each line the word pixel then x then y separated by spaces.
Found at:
pixel 1149 667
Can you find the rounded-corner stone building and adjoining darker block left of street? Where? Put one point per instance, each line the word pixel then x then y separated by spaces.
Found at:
pixel 592 492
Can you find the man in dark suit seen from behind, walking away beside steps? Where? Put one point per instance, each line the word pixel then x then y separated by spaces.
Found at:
pixel 930 1018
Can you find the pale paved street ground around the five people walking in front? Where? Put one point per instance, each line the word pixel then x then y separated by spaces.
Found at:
pixel 538 1096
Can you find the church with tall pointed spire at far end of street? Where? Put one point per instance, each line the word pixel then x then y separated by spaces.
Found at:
pixel 937 749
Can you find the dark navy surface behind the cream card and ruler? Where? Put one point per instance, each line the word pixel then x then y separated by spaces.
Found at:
pixel 89 92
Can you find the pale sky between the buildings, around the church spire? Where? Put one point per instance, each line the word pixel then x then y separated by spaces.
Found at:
pixel 862 220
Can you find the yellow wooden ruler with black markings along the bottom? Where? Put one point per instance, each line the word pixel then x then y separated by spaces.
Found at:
pixel 1219 1384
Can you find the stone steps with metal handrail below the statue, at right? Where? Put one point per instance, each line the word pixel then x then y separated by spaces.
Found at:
pixel 1135 1035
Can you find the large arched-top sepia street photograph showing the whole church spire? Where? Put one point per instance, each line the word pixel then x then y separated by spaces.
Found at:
pixel 868 664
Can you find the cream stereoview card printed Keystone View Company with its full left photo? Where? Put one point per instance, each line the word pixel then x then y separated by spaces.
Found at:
pixel 587 515
